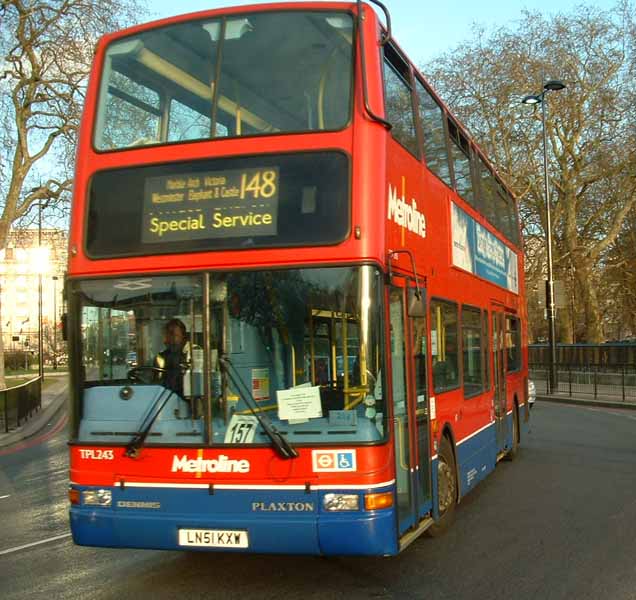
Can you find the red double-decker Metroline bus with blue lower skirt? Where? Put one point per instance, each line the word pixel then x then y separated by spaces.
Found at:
pixel 296 310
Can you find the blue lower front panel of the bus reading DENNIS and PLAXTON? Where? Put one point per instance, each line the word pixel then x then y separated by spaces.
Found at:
pixel 289 522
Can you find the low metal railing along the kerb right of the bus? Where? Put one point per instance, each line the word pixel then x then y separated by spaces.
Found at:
pixel 601 382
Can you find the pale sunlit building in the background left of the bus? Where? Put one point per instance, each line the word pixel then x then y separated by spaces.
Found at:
pixel 20 264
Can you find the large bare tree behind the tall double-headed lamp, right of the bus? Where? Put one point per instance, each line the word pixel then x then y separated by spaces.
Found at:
pixel 590 130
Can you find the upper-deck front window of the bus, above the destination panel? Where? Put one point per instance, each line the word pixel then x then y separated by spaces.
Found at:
pixel 243 75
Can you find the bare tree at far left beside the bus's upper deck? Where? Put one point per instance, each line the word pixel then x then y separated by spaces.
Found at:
pixel 46 47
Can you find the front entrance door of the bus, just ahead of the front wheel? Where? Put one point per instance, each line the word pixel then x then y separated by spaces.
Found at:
pixel 410 417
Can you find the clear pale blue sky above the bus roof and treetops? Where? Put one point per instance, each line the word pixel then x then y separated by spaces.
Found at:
pixel 423 28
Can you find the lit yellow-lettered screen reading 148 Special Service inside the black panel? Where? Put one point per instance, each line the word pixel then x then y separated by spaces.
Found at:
pixel 214 204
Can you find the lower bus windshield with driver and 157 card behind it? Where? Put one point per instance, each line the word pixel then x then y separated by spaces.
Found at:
pixel 301 346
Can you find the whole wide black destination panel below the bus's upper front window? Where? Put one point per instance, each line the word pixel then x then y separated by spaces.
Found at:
pixel 221 203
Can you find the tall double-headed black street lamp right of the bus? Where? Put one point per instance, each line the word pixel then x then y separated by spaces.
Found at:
pixel 553 85
